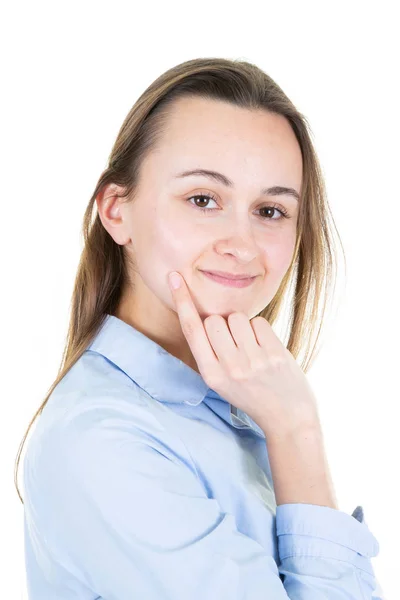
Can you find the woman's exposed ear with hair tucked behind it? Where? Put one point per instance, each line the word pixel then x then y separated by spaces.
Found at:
pixel 109 206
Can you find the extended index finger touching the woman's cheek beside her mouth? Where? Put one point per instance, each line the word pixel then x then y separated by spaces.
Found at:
pixel 192 326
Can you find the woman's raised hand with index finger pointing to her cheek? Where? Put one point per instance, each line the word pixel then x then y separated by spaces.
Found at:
pixel 246 363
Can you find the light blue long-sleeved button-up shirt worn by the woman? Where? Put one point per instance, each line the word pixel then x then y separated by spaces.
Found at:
pixel 140 482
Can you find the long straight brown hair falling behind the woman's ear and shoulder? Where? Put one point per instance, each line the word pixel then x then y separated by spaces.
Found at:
pixel 103 268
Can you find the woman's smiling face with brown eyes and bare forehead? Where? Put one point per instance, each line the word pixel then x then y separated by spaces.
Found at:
pixel 166 230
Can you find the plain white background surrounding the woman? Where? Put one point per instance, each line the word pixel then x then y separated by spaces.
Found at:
pixel 70 73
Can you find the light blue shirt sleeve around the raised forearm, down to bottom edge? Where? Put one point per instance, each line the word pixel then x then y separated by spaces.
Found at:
pixel 318 544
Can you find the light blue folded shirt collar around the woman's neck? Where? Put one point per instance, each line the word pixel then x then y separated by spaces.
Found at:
pixel 162 375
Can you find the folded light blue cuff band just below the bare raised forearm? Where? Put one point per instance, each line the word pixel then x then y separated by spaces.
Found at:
pixel 313 530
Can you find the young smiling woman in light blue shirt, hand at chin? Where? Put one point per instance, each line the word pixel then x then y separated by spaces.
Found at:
pixel 179 454
